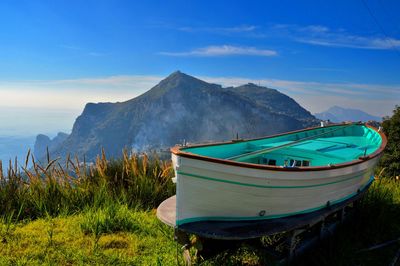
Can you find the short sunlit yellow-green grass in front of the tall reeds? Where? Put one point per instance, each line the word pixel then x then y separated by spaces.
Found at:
pixel 29 243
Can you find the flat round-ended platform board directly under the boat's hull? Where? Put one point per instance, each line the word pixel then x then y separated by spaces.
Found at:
pixel 239 230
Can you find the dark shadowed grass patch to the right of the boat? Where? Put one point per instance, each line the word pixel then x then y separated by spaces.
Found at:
pixel 377 222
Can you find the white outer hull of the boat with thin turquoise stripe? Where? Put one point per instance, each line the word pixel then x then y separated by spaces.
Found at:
pixel 213 191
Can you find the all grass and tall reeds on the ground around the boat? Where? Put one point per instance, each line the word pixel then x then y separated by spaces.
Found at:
pixel 103 214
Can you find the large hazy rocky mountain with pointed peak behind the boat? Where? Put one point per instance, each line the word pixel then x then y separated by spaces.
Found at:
pixel 182 108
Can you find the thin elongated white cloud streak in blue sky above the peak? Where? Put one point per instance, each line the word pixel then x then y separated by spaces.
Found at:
pixel 223 50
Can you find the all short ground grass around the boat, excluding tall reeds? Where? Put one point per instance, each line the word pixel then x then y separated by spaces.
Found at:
pixel 118 235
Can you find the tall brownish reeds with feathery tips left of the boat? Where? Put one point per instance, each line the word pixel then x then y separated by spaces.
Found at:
pixel 68 187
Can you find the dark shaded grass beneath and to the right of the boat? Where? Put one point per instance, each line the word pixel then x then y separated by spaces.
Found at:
pixel 376 222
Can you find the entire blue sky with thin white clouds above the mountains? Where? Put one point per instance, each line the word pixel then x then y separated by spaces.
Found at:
pixel 55 56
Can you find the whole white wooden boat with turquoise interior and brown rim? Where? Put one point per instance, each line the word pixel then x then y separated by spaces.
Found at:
pixel 272 177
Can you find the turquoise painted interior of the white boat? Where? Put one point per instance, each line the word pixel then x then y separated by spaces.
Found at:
pixel 322 146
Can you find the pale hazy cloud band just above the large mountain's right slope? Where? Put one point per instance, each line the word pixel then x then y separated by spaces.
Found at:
pixel 376 99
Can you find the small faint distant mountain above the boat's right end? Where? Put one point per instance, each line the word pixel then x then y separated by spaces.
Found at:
pixel 339 114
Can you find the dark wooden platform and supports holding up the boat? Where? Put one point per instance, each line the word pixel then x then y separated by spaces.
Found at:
pixel 323 222
